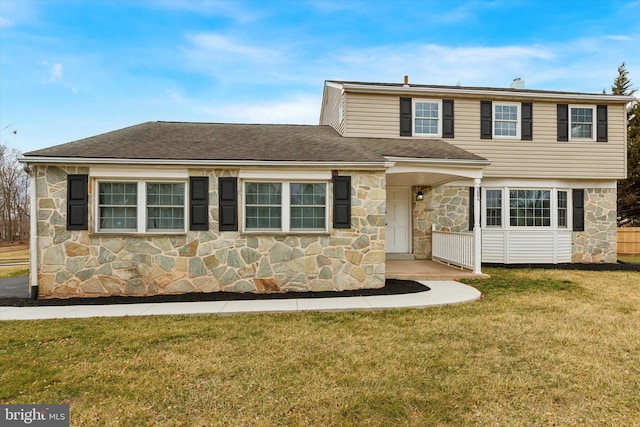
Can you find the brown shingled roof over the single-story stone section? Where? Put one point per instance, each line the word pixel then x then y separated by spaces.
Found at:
pixel 255 142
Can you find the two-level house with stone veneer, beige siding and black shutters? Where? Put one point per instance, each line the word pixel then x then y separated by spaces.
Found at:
pixel 467 175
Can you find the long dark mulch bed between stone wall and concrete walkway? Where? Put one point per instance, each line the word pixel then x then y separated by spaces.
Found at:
pixel 391 287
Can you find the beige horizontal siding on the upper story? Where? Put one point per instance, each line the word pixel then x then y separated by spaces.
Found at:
pixel 377 115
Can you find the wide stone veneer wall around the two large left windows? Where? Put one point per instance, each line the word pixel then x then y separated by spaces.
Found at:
pixel 86 264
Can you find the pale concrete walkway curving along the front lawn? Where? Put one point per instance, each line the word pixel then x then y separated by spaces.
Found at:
pixel 441 293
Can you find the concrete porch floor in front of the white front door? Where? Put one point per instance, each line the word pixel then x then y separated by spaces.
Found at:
pixel 426 270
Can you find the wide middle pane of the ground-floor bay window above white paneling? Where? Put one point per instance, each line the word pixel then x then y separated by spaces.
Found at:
pixel 530 208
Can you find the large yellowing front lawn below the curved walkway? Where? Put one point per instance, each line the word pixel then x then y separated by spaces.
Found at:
pixel 541 348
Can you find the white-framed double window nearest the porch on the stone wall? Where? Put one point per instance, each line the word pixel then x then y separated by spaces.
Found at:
pixel 285 206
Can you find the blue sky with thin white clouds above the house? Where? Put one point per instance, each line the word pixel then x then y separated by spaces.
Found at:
pixel 72 69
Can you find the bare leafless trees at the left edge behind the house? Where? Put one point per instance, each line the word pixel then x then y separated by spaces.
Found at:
pixel 14 196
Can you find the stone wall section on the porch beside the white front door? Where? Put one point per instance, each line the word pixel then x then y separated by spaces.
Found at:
pixel 445 206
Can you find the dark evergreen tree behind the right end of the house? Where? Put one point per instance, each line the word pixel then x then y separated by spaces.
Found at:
pixel 629 189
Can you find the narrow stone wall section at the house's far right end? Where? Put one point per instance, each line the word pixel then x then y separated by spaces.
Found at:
pixel 598 241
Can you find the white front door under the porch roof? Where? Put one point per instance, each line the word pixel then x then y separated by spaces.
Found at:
pixel 397 234
